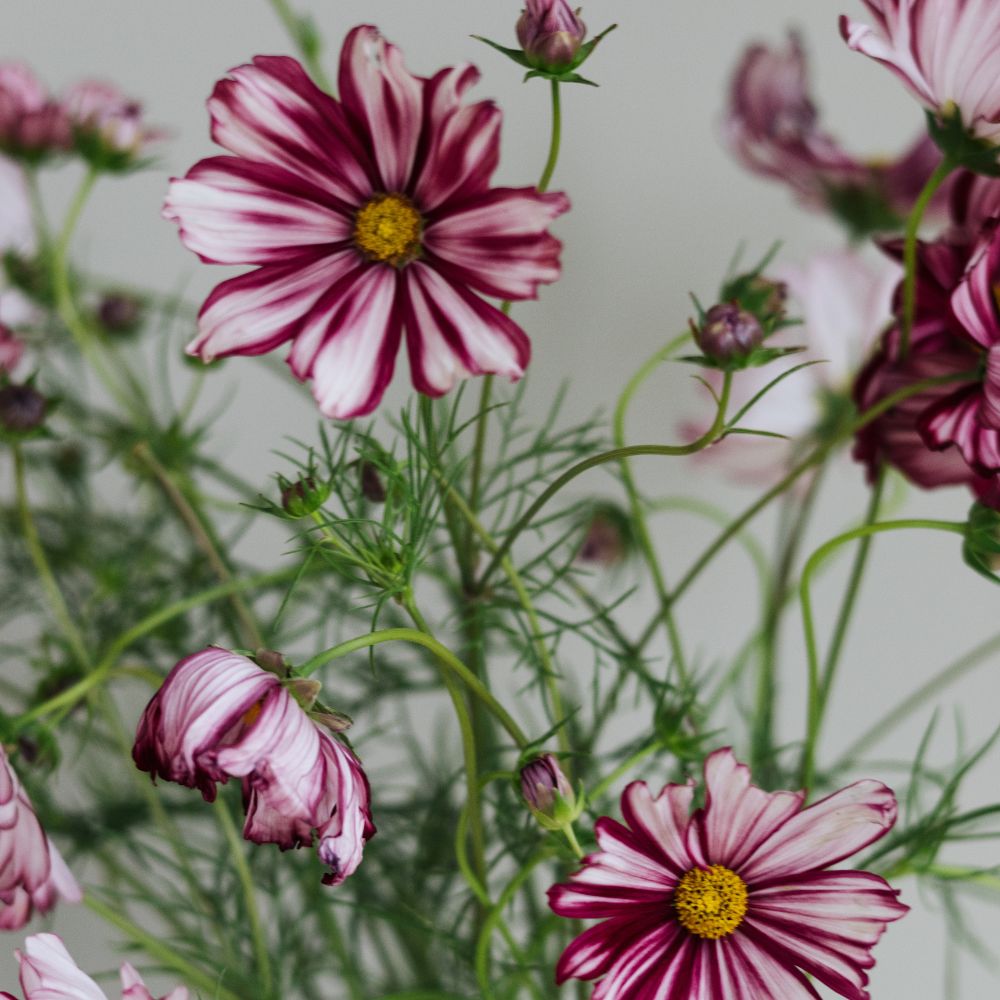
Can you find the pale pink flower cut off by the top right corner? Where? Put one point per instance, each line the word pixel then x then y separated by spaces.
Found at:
pixel 946 52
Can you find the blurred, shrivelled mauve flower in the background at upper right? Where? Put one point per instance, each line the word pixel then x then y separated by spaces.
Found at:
pixel 773 127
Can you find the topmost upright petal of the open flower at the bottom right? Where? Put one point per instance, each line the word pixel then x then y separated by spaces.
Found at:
pixel 738 817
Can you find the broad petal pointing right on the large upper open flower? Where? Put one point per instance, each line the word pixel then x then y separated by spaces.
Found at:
pixel 498 242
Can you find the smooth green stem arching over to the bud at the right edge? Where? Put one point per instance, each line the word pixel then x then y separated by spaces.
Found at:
pixel 820 684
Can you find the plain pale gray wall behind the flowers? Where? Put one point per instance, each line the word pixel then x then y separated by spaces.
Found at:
pixel 658 209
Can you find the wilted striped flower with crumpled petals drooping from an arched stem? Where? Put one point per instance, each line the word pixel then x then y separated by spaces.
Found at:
pixel 219 715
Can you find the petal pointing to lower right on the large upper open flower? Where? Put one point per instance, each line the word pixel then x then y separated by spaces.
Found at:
pixel 452 333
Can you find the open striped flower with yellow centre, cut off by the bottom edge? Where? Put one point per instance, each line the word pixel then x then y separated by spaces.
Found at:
pixel 734 901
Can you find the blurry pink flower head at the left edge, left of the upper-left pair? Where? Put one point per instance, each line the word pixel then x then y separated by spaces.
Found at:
pixel 32 124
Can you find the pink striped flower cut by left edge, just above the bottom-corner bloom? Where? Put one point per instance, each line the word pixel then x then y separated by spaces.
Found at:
pixel 33 875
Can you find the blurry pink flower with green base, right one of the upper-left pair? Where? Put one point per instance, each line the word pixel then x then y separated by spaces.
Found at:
pixel 108 130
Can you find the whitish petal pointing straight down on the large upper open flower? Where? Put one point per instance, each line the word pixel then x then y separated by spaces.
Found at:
pixel 348 344
